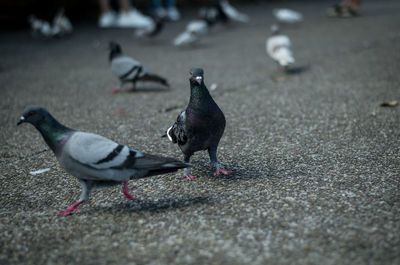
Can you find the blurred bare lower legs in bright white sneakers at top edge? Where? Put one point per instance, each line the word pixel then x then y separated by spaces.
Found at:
pixel 128 17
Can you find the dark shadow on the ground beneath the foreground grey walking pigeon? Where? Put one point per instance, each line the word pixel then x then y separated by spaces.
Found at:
pixel 154 206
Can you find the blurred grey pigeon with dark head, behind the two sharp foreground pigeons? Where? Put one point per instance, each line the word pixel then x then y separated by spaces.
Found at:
pixel 129 70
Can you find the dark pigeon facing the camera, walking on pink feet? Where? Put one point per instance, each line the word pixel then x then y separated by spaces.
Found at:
pixel 200 126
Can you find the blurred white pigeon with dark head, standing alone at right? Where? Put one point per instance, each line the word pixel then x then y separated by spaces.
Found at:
pixel 278 48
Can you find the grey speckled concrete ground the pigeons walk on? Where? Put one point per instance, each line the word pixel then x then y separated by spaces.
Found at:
pixel 315 158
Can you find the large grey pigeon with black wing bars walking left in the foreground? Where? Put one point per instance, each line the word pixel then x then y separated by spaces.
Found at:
pixel 95 160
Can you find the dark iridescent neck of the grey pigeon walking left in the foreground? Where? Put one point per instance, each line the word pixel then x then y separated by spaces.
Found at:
pixel 54 133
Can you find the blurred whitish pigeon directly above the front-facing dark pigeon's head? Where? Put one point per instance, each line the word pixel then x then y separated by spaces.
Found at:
pixel 194 30
